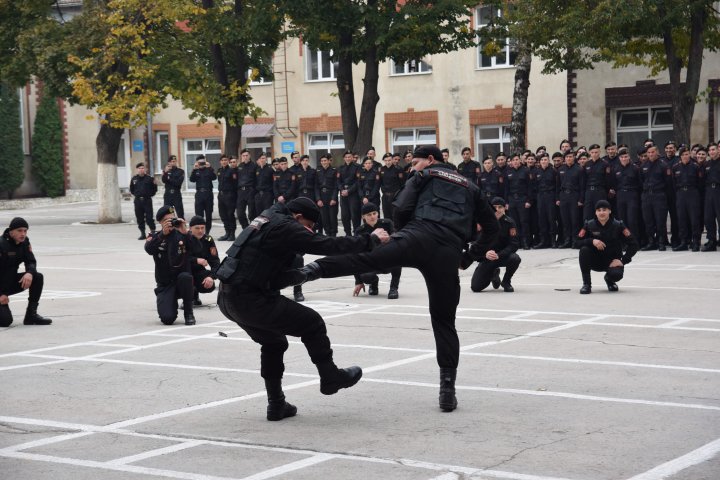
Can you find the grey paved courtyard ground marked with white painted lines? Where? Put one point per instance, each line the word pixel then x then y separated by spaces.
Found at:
pixel 551 385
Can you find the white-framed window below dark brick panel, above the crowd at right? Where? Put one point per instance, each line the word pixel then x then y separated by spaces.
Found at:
pixel 635 125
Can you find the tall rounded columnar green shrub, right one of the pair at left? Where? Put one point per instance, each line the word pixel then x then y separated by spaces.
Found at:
pixel 47 163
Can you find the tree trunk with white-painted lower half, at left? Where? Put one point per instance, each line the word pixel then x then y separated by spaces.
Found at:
pixel 107 144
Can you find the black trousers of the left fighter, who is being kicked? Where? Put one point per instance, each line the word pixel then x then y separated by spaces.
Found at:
pixel 268 317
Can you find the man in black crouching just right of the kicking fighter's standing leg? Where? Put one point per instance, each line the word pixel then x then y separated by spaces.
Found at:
pixel 502 253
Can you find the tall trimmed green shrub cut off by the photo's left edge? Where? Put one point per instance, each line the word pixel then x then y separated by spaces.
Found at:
pixel 12 157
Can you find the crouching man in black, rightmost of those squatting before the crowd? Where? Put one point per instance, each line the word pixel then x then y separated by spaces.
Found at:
pixel 602 240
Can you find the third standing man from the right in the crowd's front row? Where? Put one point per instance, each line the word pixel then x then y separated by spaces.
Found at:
pixel 656 180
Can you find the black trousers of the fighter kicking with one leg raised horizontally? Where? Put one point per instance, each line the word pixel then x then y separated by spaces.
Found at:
pixel 437 262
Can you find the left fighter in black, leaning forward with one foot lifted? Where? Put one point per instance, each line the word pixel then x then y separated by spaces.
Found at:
pixel 248 297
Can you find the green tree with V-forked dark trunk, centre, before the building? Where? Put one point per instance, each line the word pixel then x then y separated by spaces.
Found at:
pixel 373 31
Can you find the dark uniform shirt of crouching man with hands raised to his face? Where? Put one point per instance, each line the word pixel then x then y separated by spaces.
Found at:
pixel 172 255
